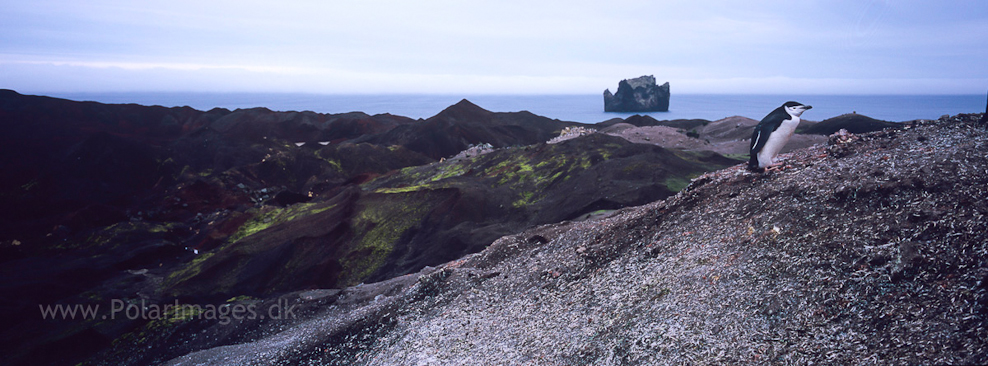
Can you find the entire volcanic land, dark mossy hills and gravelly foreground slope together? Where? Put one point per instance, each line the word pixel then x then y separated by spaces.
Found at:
pixel 348 219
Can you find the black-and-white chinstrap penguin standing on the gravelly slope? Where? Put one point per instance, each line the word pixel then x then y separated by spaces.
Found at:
pixel 772 133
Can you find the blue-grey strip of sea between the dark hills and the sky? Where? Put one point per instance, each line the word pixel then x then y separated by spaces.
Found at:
pixel 575 108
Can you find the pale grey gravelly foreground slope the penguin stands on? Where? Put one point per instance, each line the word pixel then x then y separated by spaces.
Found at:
pixel 870 250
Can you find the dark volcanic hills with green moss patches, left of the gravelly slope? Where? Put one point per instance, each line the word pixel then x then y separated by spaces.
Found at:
pixel 154 205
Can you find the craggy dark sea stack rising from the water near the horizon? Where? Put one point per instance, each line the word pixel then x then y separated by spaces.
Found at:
pixel 638 95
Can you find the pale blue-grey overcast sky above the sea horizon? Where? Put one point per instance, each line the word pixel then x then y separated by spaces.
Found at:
pixel 494 47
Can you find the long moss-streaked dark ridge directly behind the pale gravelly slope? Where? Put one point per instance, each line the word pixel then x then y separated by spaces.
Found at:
pixel 537 184
